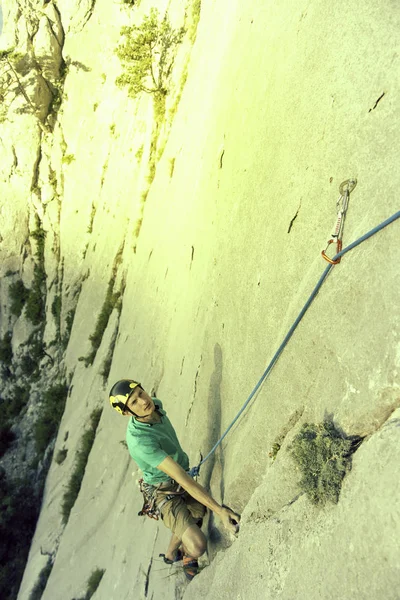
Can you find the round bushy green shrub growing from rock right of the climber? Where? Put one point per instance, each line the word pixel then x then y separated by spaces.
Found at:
pixel 322 454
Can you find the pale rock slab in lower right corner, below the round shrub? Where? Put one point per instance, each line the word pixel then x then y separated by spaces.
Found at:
pixel 344 551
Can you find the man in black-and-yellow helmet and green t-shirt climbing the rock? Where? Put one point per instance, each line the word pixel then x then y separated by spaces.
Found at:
pixel 168 488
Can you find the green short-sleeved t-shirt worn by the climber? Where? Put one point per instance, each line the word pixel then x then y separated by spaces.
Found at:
pixel 149 444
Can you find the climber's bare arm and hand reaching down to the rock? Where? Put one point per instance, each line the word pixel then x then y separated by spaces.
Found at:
pixel 175 471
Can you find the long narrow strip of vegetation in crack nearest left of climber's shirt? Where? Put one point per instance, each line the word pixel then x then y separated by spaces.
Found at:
pixel 82 456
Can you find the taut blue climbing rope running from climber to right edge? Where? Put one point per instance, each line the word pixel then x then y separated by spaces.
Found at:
pixel 194 471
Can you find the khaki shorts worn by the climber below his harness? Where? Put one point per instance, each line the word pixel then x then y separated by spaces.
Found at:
pixel 181 512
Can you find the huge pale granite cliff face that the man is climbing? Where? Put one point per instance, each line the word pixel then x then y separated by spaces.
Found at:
pixel 213 251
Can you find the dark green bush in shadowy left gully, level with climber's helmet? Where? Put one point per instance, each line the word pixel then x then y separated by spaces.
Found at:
pixel 46 427
